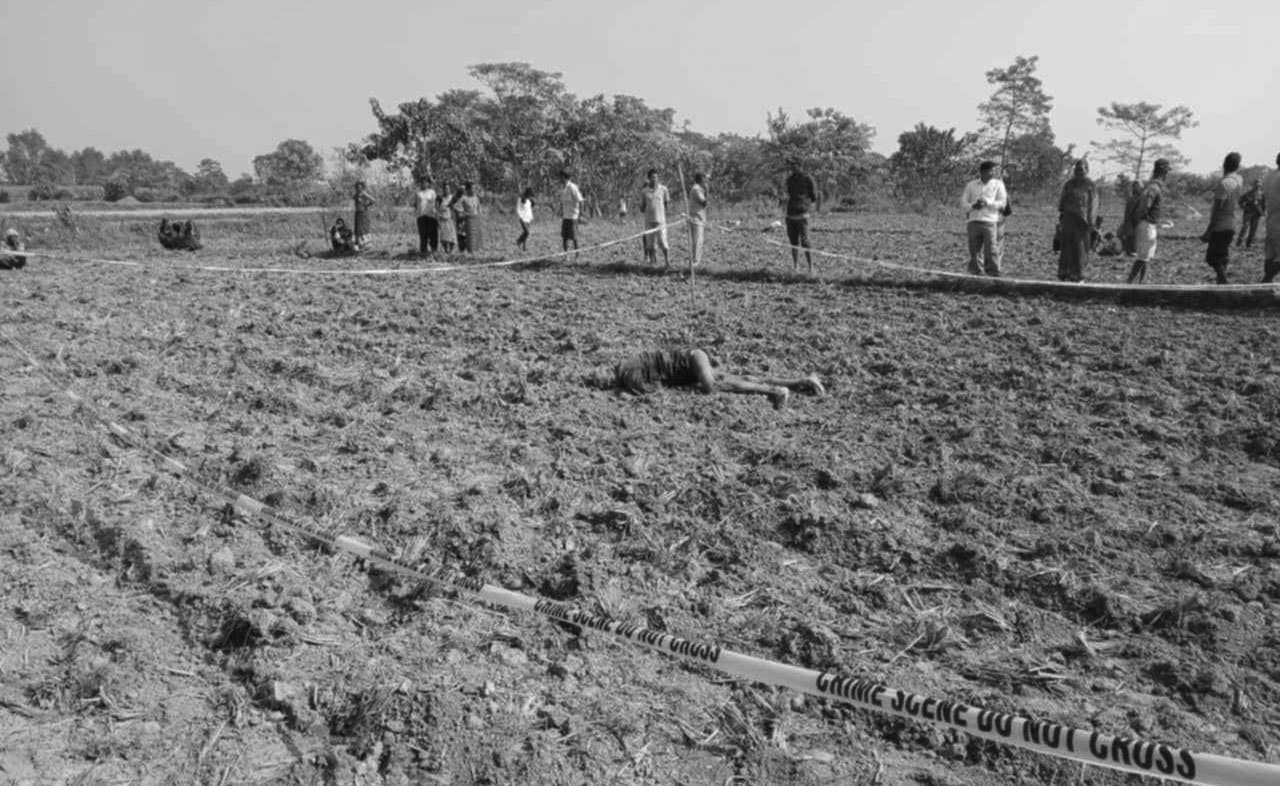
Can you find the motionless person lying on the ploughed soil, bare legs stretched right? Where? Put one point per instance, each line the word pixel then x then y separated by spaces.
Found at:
pixel 647 372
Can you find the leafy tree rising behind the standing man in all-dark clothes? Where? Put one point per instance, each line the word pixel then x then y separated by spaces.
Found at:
pixel 830 145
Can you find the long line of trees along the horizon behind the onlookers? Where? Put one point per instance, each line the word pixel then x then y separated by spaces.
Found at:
pixel 522 126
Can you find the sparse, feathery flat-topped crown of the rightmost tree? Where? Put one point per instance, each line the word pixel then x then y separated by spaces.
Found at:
pixel 1142 130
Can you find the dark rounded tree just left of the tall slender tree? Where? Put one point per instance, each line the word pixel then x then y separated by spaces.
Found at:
pixel 932 164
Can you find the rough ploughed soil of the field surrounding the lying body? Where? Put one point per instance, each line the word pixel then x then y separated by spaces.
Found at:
pixel 1054 508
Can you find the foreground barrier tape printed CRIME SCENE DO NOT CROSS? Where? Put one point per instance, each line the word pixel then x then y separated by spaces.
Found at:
pixel 1127 755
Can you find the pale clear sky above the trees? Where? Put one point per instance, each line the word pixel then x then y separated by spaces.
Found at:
pixel 230 80
